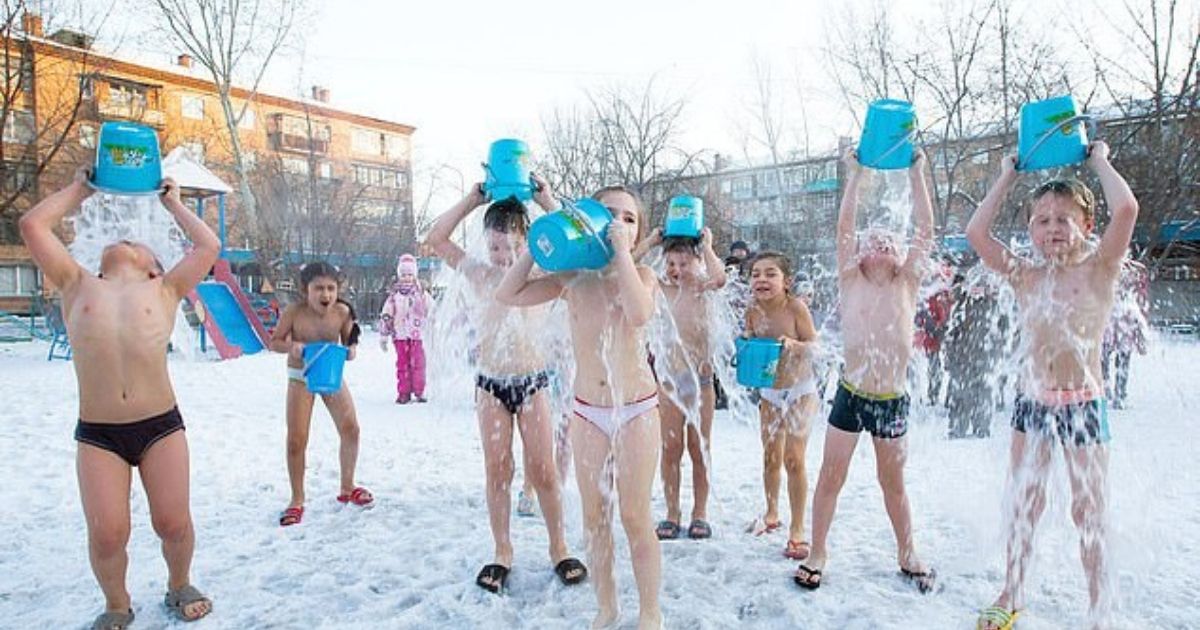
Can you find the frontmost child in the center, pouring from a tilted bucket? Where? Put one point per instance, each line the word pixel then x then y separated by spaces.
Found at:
pixel 615 430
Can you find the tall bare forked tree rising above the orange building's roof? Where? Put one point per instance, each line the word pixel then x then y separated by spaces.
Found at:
pixel 236 41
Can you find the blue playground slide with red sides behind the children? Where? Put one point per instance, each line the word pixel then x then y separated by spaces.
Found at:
pixel 229 319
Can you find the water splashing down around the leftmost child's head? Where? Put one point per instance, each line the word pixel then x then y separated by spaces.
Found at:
pixel 106 219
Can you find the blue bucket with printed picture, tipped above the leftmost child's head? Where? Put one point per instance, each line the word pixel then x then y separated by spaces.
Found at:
pixel 128 160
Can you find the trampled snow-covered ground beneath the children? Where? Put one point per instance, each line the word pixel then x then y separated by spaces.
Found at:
pixel 412 561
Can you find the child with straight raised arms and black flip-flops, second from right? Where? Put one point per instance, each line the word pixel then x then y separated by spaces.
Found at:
pixel 879 290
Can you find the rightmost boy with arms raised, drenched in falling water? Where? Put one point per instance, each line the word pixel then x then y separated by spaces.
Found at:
pixel 1066 297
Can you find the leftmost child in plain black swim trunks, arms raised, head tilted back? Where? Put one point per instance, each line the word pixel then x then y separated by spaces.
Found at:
pixel 119 323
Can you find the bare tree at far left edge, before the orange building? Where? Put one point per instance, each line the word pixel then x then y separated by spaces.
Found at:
pixel 43 99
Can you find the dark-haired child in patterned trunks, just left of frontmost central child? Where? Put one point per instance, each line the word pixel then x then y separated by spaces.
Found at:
pixel 513 386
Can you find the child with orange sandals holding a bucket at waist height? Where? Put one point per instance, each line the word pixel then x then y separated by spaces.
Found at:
pixel 787 407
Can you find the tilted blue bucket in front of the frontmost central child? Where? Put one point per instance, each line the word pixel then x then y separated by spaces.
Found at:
pixel 573 238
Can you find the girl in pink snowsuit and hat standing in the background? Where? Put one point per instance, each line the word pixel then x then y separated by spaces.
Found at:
pixel 403 319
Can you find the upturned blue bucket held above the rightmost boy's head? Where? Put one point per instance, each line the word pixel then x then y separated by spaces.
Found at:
pixel 1051 134
